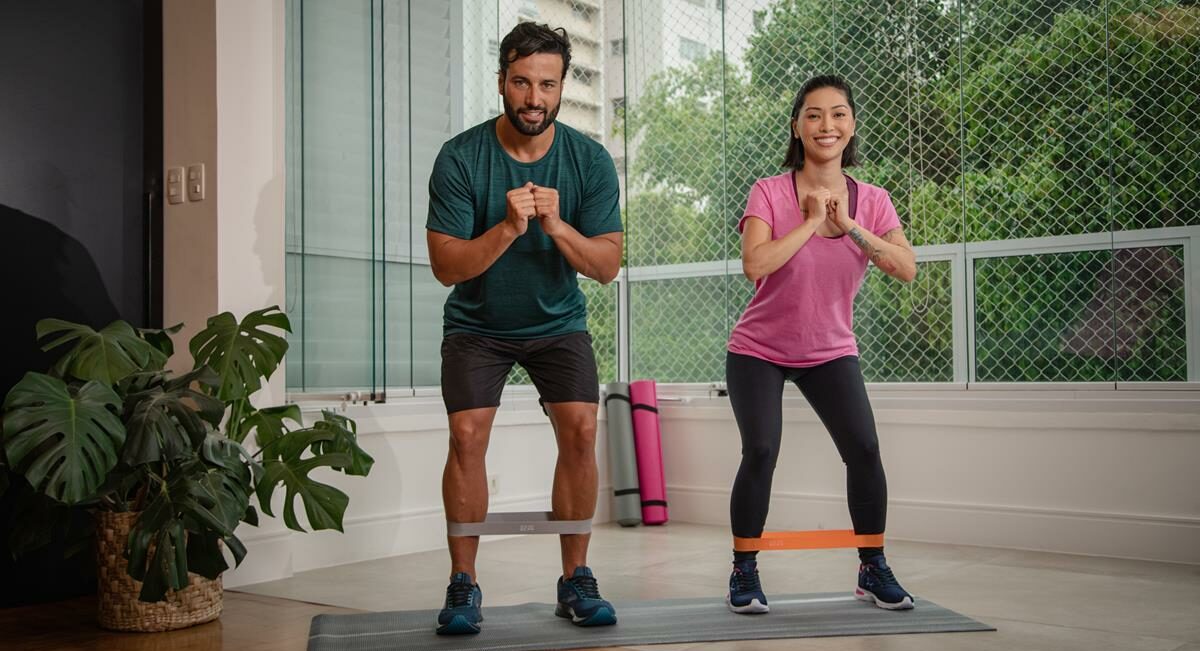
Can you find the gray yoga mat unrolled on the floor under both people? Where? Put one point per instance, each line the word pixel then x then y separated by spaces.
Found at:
pixel 533 626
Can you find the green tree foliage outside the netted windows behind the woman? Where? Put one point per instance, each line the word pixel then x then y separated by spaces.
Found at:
pixel 986 121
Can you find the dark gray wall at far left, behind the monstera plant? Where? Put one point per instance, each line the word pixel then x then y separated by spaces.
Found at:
pixel 79 151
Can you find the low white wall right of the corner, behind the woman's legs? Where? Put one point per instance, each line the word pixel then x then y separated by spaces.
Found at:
pixel 1111 474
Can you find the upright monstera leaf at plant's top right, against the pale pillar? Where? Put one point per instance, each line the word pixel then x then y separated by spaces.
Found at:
pixel 242 354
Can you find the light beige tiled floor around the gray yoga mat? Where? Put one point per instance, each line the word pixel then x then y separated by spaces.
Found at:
pixel 1036 601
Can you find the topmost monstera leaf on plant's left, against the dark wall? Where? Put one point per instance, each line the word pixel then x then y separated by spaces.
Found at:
pixel 107 356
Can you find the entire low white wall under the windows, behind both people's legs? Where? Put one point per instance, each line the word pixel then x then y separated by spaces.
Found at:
pixel 1108 474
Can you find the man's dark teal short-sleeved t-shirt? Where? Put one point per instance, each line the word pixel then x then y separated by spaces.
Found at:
pixel 531 292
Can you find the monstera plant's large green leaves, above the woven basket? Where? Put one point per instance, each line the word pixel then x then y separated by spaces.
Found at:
pixel 109 427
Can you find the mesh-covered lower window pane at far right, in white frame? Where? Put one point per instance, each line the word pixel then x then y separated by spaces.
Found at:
pixel 1095 316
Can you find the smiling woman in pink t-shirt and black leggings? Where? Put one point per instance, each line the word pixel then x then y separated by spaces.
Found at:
pixel 807 237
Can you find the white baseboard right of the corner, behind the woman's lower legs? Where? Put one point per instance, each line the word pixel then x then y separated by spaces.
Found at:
pixel 1114 535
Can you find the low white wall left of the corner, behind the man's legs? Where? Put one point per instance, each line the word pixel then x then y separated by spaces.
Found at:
pixel 398 509
